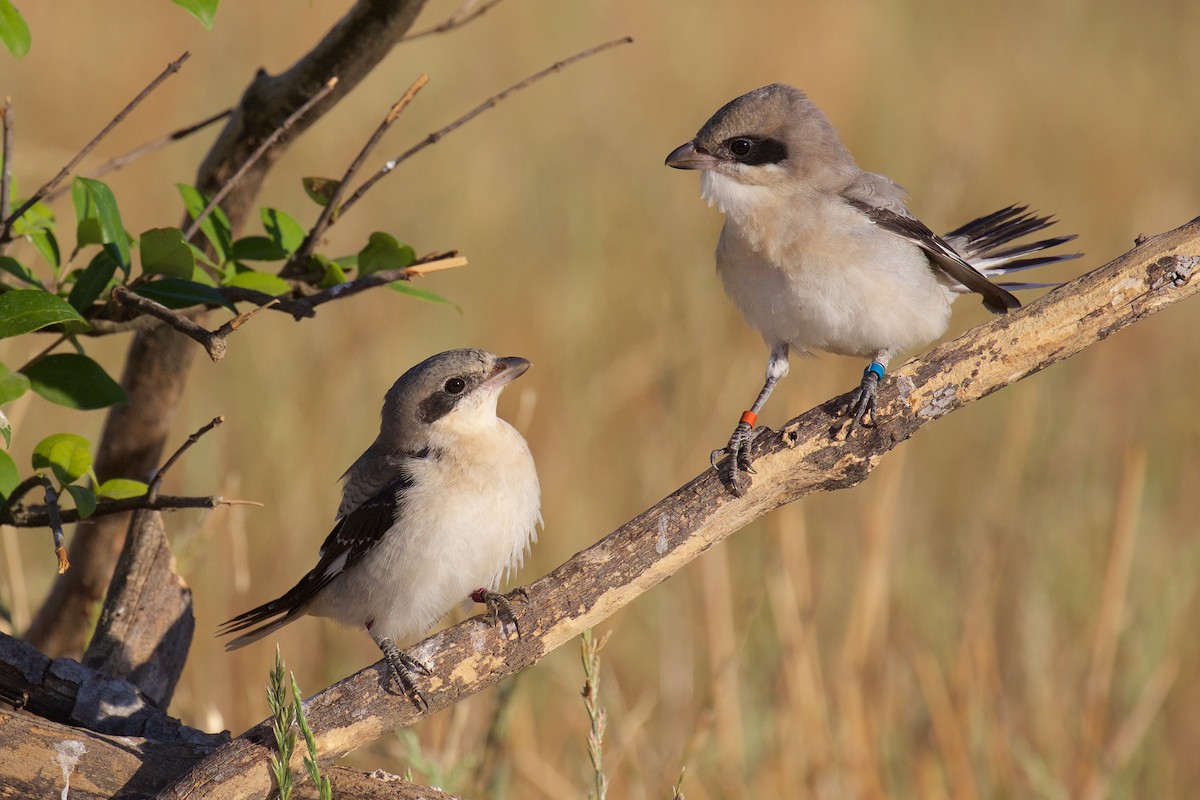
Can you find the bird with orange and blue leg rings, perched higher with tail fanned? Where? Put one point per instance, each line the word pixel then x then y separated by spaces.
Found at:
pixel 820 255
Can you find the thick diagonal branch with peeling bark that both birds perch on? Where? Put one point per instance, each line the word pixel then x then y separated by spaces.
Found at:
pixel 797 461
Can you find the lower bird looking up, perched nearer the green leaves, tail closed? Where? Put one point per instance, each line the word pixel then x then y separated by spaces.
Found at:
pixel 442 507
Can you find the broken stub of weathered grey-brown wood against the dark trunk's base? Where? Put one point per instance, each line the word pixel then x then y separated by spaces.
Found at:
pixel 147 625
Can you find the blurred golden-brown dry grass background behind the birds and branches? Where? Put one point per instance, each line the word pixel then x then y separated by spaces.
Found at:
pixel 1007 609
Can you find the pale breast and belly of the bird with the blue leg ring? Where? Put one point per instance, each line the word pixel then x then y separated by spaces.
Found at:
pixel 815 274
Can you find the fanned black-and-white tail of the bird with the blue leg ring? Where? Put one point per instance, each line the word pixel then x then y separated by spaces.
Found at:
pixel 987 245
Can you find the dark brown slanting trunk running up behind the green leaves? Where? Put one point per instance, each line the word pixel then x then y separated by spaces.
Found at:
pixel 157 365
